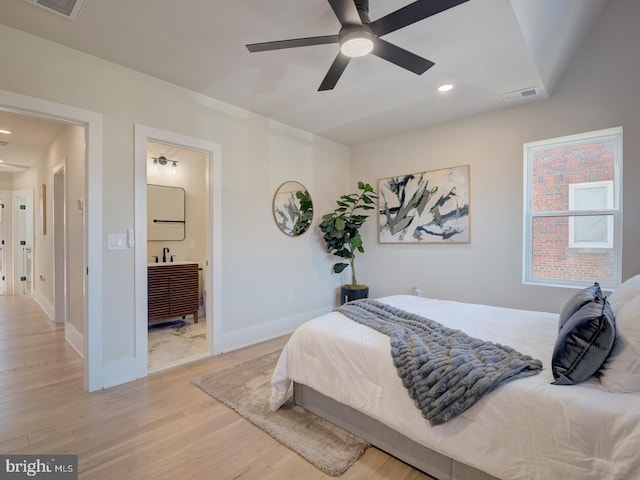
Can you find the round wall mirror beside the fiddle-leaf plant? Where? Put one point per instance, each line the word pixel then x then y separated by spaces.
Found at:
pixel 292 208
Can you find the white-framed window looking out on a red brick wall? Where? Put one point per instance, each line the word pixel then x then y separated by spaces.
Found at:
pixel 572 198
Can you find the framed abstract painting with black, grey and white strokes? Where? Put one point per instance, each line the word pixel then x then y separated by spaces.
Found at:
pixel 426 207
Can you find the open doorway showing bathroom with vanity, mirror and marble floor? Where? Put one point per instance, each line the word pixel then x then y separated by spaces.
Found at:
pixel 176 254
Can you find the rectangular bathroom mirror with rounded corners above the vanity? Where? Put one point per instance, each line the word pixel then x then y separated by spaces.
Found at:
pixel 165 213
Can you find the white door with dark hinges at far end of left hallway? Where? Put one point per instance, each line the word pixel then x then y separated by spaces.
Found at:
pixel 22 242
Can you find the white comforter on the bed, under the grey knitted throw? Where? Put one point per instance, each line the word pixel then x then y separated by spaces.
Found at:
pixel 527 429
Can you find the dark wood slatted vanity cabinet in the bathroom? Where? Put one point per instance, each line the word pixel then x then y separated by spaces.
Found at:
pixel 172 291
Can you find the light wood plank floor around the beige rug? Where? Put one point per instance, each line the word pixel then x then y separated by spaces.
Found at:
pixel 157 427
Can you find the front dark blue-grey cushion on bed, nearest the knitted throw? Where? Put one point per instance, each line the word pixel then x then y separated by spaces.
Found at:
pixel 583 344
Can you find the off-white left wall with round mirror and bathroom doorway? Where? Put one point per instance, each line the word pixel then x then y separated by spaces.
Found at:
pixel 259 264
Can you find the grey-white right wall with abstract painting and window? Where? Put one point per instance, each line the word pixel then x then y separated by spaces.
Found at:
pixel 597 91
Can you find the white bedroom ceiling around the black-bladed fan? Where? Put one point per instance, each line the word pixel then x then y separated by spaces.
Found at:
pixel 484 47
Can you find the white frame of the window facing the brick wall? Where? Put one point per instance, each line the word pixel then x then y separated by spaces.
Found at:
pixel 614 213
